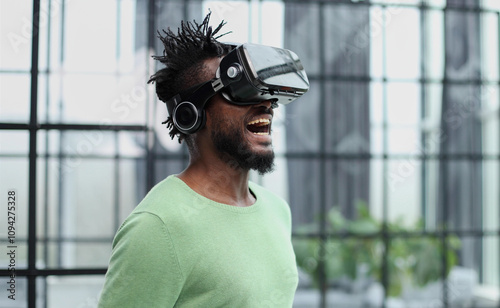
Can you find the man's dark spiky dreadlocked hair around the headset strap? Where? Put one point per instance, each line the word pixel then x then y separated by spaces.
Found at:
pixel 183 57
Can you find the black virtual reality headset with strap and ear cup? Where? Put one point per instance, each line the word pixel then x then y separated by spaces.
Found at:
pixel 247 75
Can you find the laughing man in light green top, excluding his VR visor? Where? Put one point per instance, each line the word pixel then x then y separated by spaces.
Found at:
pixel 207 237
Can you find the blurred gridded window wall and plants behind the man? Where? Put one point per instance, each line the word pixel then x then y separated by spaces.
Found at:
pixel 390 163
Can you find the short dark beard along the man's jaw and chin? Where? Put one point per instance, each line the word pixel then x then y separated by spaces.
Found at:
pixel 238 153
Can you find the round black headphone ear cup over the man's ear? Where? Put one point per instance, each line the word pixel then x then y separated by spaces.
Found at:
pixel 187 118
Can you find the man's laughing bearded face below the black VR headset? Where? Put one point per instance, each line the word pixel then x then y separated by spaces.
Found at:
pixel 241 134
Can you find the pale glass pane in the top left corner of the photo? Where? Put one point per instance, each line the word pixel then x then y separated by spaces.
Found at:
pixel 16 34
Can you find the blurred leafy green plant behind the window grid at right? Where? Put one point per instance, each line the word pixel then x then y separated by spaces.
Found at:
pixel 360 242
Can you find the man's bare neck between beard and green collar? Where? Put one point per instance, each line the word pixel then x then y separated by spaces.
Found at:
pixel 215 178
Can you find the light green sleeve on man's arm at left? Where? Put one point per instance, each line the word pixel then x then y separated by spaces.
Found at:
pixel 143 270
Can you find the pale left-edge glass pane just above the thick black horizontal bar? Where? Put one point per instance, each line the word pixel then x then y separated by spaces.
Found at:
pixel 15 99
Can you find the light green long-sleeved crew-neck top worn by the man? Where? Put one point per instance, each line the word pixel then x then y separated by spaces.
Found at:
pixel 180 249
